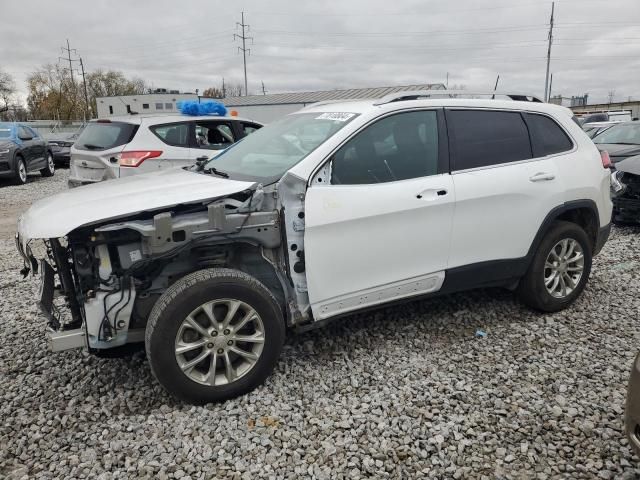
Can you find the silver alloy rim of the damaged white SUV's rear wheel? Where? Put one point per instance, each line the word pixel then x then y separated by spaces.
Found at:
pixel 563 268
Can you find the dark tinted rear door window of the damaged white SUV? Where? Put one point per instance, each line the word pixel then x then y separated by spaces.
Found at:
pixel 482 138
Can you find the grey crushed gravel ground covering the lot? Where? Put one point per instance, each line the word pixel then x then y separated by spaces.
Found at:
pixel 404 392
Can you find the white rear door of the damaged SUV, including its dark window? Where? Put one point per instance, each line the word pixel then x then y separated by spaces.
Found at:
pixel 504 188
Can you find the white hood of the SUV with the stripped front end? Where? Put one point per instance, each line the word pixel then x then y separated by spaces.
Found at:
pixel 55 216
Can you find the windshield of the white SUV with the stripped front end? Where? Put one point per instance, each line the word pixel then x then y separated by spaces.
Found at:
pixel 268 153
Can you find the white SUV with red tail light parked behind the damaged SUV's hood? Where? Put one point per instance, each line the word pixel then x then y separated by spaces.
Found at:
pixel 124 146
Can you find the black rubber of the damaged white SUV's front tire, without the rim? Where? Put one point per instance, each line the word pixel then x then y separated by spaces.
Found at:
pixel 187 295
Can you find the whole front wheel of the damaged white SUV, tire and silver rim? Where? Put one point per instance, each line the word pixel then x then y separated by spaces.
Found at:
pixel 213 335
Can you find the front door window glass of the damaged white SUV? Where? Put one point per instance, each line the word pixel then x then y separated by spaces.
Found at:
pixel 397 147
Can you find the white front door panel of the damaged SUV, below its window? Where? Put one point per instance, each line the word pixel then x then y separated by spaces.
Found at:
pixel 365 228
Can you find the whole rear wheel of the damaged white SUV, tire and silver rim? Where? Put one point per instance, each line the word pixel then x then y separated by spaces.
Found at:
pixel 559 270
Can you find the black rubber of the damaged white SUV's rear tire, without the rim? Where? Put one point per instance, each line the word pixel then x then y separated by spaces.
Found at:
pixel 532 290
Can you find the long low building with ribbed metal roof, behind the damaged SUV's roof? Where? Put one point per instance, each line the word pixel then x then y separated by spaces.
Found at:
pixel 266 108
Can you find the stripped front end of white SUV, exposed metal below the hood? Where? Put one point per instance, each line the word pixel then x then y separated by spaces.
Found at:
pixel 111 273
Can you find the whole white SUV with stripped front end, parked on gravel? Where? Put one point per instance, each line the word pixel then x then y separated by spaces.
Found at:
pixel 334 209
